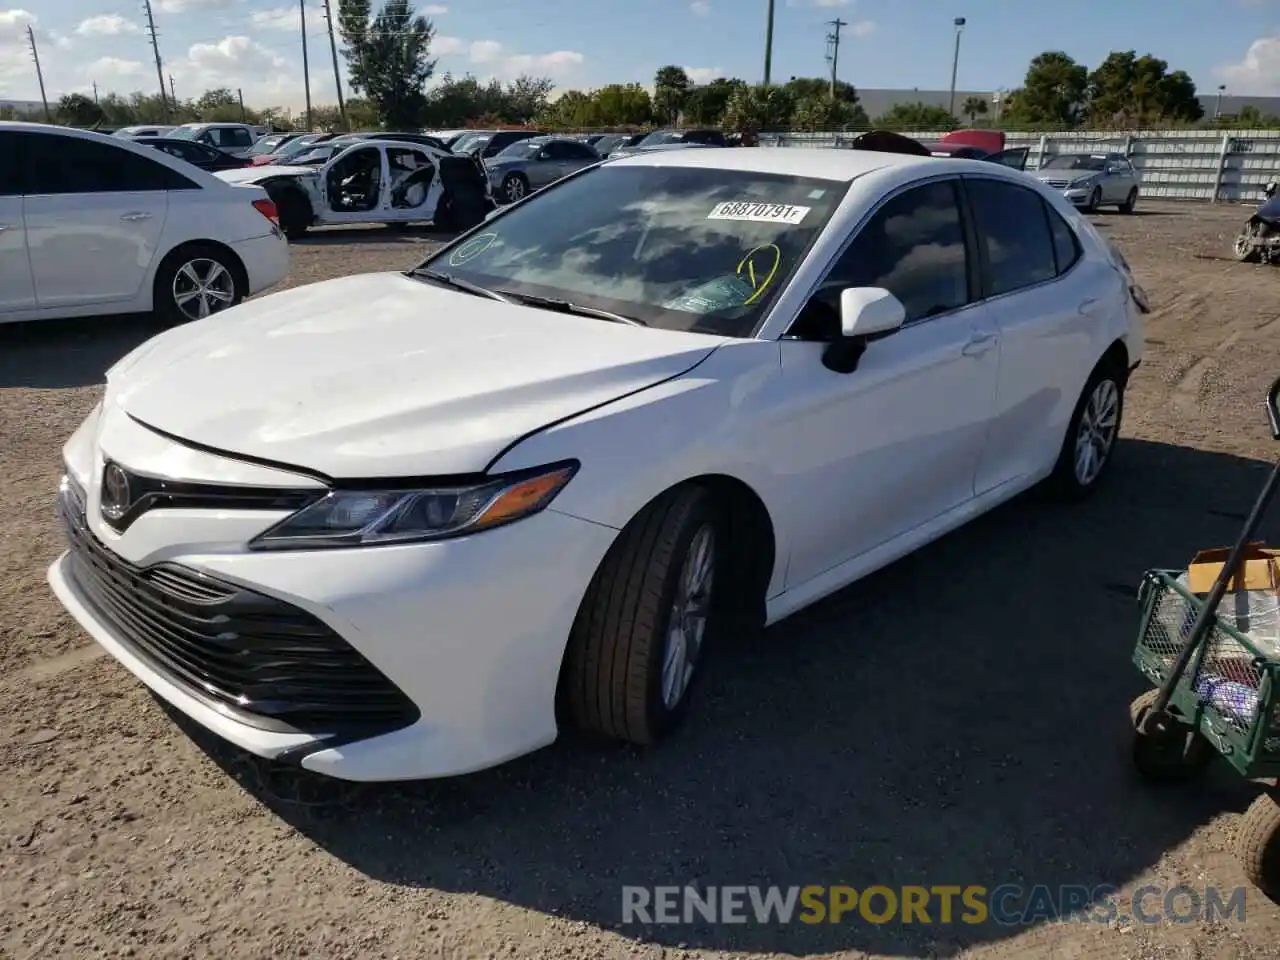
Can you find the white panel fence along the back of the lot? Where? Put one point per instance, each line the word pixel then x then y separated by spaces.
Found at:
pixel 1217 166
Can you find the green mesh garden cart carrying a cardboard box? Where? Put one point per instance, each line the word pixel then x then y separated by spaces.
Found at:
pixel 1218 682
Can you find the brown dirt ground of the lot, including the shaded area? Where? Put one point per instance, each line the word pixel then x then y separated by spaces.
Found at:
pixel 957 719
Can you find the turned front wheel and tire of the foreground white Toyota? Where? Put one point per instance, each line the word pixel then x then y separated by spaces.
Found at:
pixel 615 682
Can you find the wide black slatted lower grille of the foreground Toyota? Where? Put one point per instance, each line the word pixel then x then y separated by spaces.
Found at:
pixel 266 662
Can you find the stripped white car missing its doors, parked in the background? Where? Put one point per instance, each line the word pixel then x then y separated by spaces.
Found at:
pixel 385 182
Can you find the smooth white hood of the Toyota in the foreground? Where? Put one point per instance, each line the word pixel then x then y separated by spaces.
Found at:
pixel 381 376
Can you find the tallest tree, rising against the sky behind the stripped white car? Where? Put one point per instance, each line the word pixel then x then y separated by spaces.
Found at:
pixel 388 58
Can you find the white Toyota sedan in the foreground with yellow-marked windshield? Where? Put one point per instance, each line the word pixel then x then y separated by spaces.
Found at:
pixel 408 525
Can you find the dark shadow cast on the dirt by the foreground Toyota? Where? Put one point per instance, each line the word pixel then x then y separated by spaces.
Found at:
pixel 958 719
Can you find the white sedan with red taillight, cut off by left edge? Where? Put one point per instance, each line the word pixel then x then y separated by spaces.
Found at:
pixel 93 225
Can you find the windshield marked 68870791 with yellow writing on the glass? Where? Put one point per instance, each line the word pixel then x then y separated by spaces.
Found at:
pixel 684 249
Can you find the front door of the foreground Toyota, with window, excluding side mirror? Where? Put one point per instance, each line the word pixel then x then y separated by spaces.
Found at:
pixel 875 454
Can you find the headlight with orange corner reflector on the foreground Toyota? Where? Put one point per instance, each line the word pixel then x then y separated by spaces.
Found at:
pixel 364 518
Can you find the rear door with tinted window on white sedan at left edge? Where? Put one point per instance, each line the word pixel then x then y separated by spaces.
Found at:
pixel 95 214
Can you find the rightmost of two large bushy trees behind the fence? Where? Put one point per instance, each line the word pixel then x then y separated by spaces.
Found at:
pixel 1130 90
